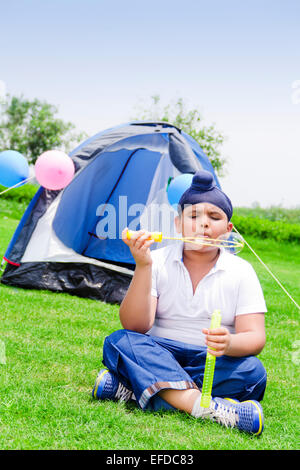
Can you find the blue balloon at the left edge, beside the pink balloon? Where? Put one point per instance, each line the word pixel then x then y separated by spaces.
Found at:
pixel 13 168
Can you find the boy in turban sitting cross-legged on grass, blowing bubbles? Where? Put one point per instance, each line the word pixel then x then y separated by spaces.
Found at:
pixel 158 359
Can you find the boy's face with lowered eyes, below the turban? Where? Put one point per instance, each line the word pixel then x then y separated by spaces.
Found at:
pixel 203 219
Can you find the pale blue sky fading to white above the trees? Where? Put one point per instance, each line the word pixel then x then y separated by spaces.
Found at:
pixel 235 61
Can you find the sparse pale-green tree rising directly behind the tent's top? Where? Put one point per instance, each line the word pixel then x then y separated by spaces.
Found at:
pixel 208 137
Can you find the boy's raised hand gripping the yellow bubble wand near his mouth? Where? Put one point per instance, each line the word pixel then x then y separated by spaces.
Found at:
pixel 139 245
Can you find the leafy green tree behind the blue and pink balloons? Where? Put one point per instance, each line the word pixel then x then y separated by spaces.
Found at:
pixel 30 127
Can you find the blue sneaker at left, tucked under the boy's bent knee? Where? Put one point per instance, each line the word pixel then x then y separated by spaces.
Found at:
pixel 108 387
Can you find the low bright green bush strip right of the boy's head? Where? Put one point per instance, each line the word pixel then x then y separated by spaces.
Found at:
pixel 263 228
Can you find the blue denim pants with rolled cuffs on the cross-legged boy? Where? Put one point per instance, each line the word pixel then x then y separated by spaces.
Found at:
pixel 147 364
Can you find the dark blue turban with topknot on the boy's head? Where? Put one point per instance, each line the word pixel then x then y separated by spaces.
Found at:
pixel 204 189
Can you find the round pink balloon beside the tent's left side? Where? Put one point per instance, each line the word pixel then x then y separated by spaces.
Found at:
pixel 54 169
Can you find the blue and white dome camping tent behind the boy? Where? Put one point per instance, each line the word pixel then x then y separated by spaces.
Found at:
pixel 69 240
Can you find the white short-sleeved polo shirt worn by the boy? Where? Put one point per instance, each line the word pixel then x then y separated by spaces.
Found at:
pixel 231 286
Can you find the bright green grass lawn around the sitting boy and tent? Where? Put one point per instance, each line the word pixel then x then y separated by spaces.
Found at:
pixel 53 345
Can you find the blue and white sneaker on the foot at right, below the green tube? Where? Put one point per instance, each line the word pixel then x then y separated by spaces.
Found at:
pixel 246 415
